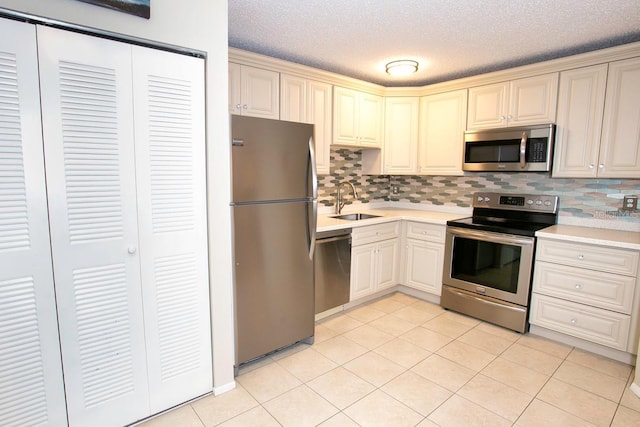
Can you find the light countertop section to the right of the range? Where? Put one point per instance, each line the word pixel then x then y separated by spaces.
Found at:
pixel 597 236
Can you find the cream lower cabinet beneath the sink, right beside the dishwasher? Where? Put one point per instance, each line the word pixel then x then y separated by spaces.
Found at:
pixel 375 256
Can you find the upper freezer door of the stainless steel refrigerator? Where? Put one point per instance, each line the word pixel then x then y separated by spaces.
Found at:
pixel 271 160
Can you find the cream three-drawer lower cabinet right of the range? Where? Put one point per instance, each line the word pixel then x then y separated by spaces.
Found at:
pixel 586 291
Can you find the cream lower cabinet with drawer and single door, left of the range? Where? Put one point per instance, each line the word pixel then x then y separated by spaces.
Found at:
pixel 424 256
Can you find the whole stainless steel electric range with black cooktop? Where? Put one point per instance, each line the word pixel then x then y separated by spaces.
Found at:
pixel 489 257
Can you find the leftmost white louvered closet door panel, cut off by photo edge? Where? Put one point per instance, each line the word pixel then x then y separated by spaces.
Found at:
pixel 31 388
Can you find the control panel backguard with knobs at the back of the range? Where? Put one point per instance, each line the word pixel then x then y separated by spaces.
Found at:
pixel 520 202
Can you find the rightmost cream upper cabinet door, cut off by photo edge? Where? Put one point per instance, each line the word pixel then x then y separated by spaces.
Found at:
pixel 620 146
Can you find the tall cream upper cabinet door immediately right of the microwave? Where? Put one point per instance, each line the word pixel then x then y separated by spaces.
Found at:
pixel 579 124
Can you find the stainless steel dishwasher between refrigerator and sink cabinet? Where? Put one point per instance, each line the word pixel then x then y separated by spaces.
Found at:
pixel 332 269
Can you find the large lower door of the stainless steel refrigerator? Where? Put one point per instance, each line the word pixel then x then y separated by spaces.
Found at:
pixel 274 283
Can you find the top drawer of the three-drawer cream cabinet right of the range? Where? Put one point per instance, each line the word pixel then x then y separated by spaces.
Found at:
pixel 593 257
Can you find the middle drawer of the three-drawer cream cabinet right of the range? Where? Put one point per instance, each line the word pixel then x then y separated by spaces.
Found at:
pixel 603 290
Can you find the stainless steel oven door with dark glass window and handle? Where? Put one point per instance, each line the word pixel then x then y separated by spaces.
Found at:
pixel 491 264
